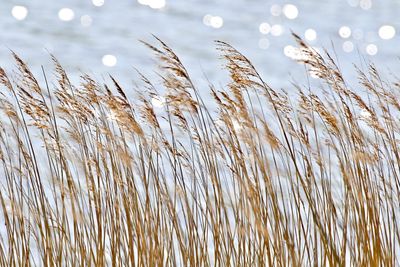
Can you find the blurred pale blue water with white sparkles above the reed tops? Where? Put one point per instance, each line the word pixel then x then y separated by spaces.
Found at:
pixel 102 36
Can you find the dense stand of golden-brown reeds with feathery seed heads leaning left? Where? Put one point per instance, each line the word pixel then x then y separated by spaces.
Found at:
pixel 90 177
